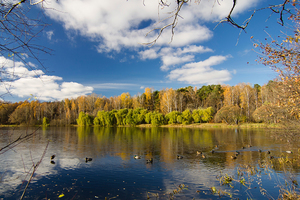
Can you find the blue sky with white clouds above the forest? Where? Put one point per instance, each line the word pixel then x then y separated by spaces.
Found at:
pixel 99 47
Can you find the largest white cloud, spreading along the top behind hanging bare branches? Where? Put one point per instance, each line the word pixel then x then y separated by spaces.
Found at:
pixel 117 24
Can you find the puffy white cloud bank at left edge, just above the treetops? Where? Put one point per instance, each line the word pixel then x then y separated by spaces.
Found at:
pixel 23 82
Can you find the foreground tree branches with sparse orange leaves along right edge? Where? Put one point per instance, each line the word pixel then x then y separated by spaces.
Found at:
pixel 284 58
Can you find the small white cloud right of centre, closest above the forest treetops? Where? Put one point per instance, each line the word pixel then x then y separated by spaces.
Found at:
pixel 201 72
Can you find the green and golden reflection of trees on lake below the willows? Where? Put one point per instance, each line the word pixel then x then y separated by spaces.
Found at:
pixel 168 142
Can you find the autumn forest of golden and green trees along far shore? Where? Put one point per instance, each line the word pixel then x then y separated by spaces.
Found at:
pixel 270 103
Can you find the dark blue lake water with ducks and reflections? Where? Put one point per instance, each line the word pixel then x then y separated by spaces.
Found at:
pixel 114 173
